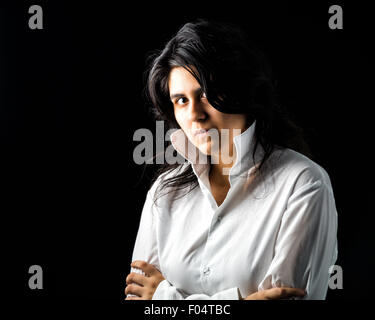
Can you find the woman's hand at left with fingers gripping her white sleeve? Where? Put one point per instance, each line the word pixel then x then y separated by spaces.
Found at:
pixel 146 284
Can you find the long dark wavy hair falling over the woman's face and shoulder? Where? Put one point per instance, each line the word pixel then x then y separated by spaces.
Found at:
pixel 236 78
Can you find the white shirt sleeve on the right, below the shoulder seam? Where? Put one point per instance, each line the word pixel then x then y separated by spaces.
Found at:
pixel 306 244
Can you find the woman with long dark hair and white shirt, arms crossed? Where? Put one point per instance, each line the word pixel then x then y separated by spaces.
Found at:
pixel 255 221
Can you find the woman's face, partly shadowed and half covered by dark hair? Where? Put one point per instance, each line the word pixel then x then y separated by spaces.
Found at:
pixel 193 113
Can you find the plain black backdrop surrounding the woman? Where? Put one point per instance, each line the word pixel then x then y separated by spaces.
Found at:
pixel 71 99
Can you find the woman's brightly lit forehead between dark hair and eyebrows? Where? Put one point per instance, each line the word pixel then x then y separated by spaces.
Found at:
pixel 180 80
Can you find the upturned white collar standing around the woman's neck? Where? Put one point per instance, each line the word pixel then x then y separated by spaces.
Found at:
pixel 244 147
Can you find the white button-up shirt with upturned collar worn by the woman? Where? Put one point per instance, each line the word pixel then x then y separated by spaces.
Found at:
pixel 279 230
